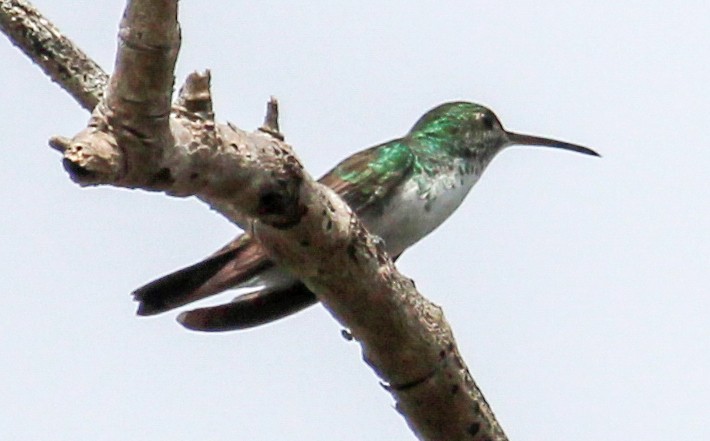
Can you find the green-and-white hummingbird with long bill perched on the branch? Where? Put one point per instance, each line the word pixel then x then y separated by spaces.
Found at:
pixel 401 190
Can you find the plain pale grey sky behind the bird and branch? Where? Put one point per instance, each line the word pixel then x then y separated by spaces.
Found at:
pixel 577 288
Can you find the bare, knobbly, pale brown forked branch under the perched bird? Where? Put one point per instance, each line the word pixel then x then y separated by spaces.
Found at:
pixel 136 139
